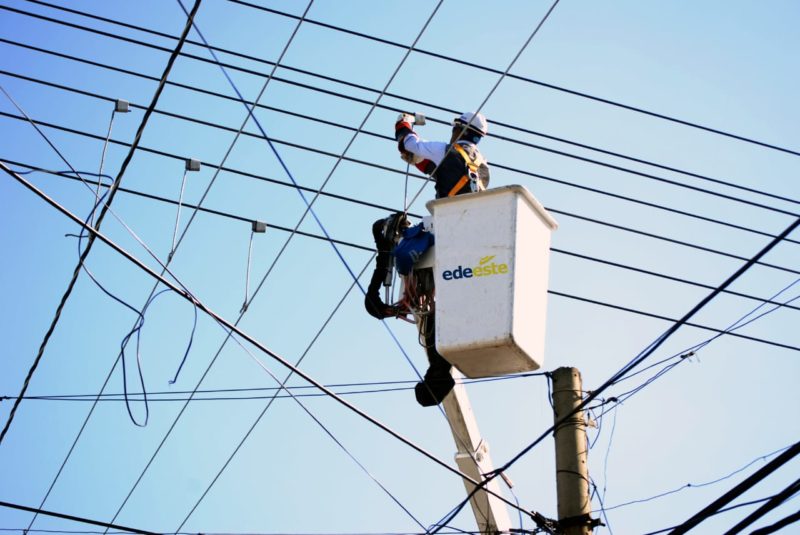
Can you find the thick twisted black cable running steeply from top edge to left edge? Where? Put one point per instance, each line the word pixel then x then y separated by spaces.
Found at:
pixel 111 193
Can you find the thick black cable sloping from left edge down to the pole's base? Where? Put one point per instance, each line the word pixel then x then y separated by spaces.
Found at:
pixel 232 329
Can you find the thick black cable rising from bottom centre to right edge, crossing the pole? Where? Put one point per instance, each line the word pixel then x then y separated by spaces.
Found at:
pixel 641 357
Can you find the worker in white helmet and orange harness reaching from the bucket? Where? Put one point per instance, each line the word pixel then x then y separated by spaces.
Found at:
pixel 458 166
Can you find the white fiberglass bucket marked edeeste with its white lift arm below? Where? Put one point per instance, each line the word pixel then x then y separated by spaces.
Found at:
pixel 490 270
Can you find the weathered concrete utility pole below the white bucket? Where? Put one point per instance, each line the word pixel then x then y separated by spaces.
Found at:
pixel 572 473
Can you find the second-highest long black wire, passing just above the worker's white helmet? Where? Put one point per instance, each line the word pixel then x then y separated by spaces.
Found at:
pixel 423 103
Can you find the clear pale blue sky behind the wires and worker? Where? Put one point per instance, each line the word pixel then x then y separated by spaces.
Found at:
pixel 689 221
